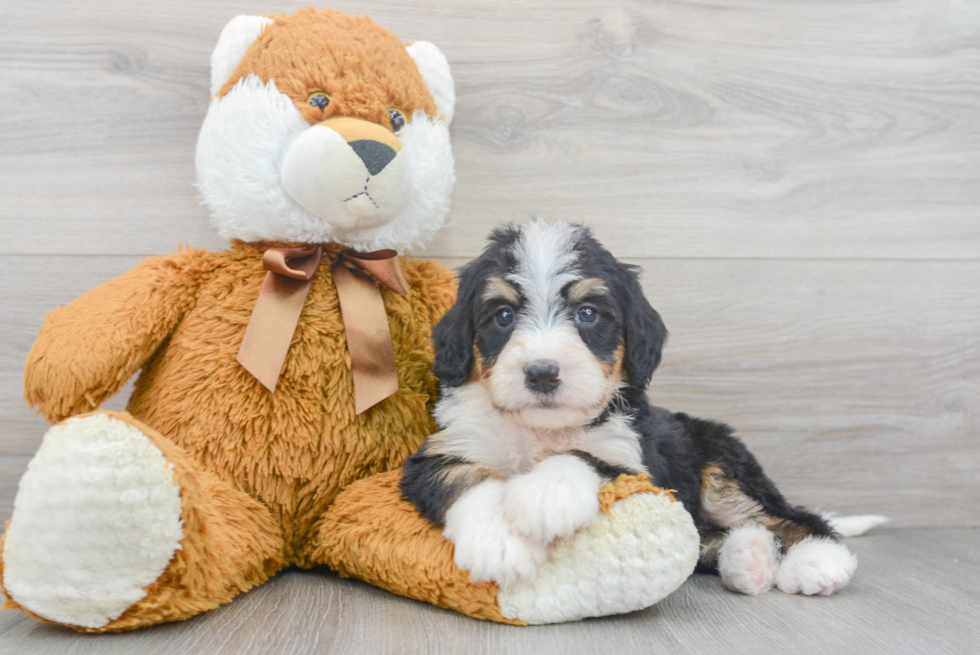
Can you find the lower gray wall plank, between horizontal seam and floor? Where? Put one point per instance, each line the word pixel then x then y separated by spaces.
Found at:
pixel 854 382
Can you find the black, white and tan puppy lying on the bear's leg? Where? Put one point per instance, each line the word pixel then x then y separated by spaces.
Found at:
pixel 543 362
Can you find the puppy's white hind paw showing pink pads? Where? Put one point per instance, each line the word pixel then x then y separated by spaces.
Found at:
pixel 748 561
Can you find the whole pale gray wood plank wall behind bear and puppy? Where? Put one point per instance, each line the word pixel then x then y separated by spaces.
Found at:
pixel 799 180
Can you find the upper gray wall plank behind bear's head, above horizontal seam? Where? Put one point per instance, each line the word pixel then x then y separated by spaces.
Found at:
pixel 763 128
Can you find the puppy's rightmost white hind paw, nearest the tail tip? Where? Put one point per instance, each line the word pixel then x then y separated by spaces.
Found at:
pixel 816 566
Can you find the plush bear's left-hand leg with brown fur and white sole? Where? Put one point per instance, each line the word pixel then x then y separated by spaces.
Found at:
pixel 115 527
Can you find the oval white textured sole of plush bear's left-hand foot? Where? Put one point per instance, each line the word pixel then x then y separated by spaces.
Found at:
pixel 96 519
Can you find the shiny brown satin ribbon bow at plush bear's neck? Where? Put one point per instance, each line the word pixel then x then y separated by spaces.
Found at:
pixel 280 303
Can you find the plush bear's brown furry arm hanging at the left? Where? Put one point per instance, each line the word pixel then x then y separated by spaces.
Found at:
pixel 87 349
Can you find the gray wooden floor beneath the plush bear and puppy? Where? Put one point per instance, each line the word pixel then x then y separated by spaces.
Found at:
pixel 915 592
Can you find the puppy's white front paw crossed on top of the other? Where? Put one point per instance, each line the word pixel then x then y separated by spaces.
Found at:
pixel 558 496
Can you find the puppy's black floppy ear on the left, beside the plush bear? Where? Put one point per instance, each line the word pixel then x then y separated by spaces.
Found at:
pixel 453 336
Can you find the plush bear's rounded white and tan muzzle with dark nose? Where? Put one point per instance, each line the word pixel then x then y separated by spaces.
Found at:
pixel 350 173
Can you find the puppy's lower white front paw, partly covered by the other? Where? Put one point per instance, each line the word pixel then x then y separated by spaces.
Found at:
pixel 484 543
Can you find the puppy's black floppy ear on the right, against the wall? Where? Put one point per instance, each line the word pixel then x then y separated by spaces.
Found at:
pixel 645 332
